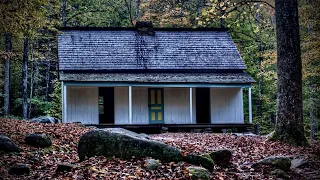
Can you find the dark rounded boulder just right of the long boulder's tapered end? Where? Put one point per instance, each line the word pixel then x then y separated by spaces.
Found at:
pixel 221 157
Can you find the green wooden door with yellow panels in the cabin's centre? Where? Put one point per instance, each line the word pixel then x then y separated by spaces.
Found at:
pixel 155 104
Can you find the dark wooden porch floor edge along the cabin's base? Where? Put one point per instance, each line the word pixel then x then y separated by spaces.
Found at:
pixel 156 128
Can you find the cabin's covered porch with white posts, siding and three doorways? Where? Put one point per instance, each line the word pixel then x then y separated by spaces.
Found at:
pixel 154 104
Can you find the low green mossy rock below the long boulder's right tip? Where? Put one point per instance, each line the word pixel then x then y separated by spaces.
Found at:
pixel 200 161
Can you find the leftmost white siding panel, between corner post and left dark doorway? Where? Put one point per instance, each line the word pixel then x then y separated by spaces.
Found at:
pixel 82 105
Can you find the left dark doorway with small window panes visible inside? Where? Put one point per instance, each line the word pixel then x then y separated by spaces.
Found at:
pixel 106 105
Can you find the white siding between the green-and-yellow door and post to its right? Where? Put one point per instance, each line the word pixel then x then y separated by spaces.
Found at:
pixel 176 106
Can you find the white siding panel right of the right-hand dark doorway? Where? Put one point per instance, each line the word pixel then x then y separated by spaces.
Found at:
pixel 226 105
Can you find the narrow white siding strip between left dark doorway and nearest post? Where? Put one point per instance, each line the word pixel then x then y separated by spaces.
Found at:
pixel 121 105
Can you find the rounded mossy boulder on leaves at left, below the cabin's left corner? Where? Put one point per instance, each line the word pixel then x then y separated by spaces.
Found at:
pixel 38 140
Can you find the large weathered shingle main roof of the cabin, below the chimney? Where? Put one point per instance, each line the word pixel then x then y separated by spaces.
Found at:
pixel 181 49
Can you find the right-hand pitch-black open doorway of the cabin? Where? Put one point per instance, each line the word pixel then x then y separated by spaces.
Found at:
pixel 203 105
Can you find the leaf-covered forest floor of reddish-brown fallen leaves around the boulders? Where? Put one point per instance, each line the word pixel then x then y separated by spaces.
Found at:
pixel 246 150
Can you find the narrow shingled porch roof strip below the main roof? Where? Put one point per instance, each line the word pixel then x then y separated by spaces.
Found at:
pixel 211 78
